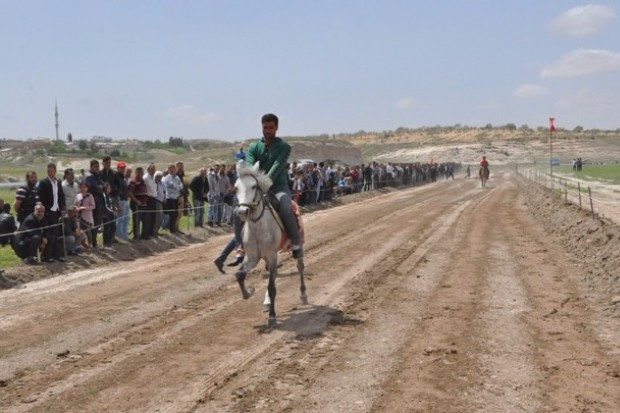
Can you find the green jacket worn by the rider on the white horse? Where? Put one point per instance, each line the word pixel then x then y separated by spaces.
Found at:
pixel 273 161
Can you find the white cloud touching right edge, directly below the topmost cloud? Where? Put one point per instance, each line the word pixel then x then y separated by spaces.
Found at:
pixel 582 62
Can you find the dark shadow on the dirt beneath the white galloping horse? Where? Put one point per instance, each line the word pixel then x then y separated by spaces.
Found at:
pixel 309 322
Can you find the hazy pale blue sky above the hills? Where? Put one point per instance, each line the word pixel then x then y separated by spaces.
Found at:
pixel 210 69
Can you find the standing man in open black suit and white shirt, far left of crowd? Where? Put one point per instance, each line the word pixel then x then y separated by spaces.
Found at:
pixel 53 199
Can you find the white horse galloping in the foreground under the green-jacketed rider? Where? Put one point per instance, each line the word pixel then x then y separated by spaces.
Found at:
pixel 262 233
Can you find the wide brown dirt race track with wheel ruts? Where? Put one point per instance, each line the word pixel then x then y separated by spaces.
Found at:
pixel 442 298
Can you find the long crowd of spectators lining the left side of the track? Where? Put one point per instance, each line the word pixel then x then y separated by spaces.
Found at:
pixel 56 218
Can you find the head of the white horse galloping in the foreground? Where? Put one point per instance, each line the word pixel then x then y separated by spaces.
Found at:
pixel 251 184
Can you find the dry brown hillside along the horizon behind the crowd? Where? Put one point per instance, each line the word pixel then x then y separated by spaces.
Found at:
pixel 438 144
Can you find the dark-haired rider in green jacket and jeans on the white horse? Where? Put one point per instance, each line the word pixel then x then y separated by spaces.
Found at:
pixel 272 154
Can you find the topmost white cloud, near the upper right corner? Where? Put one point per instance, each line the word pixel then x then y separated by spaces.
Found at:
pixel 584 20
